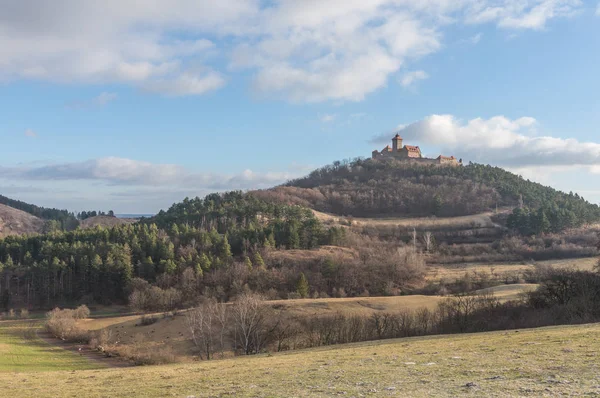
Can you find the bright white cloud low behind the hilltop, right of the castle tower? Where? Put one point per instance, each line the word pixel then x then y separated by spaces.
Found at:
pixel 500 141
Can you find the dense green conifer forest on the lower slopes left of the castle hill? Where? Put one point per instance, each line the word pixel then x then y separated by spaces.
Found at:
pixel 97 265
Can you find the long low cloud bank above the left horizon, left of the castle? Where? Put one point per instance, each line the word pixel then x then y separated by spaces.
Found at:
pixel 128 172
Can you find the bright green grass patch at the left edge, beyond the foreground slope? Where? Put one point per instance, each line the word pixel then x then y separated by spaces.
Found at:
pixel 21 350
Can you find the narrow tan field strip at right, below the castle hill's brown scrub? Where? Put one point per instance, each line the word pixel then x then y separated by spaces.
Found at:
pixel 436 273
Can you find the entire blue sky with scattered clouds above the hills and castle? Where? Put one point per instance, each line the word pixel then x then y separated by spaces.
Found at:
pixel 132 106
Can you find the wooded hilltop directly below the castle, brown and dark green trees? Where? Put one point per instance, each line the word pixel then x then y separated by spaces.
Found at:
pixel 367 188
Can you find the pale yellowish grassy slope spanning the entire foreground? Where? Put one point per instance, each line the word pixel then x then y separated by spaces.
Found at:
pixel 539 362
